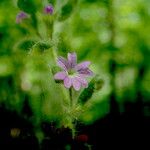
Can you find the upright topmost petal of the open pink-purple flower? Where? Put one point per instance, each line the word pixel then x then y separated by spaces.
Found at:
pixel 72 59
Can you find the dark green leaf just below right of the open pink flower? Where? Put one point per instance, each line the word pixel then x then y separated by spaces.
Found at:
pixel 95 84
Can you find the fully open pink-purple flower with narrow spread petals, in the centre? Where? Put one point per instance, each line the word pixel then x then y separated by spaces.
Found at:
pixel 73 74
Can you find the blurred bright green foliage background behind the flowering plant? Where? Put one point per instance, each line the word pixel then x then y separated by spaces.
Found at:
pixel 113 34
